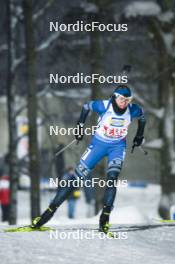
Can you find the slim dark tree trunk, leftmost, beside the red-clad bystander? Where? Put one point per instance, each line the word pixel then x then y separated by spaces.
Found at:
pixel 11 92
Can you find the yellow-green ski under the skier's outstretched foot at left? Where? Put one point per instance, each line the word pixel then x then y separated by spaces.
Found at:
pixel 28 229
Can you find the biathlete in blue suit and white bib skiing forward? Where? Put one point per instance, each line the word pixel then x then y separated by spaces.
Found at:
pixel 115 116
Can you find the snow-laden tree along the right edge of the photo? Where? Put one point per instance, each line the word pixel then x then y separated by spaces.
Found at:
pixel 160 19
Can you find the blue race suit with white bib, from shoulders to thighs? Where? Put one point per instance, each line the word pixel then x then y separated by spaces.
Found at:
pixel 110 136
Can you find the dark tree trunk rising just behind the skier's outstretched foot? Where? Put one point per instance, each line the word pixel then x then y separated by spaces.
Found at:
pixel 32 108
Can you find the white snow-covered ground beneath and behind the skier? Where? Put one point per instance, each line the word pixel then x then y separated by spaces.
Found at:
pixel 140 240
